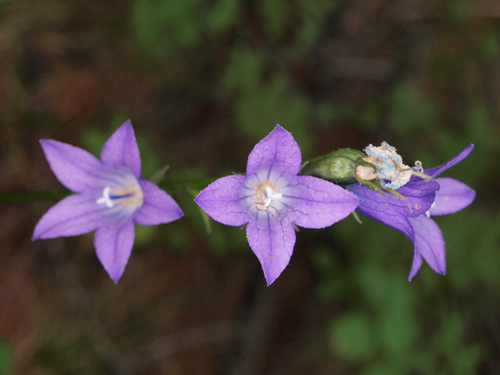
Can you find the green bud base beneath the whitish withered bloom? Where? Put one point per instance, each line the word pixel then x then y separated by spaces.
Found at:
pixel 338 166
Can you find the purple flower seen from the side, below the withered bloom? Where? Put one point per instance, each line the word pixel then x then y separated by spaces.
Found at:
pixel 438 197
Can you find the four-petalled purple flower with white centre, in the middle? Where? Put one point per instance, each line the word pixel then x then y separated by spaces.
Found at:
pixel 271 197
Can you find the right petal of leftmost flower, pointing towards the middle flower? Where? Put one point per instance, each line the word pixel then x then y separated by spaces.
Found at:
pixel 158 207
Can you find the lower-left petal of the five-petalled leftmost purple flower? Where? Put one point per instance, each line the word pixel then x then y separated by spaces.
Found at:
pixel 72 216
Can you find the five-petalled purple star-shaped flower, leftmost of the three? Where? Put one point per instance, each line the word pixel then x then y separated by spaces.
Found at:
pixel 112 195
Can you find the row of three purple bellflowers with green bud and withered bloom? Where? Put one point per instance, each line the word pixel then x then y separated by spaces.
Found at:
pixel 271 199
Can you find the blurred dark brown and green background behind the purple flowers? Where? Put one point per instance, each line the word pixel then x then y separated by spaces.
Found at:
pixel 202 82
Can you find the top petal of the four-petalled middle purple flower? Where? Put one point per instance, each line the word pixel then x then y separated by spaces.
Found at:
pixel 279 151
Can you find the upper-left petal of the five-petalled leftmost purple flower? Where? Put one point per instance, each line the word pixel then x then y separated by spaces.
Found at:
pixel 74 167
